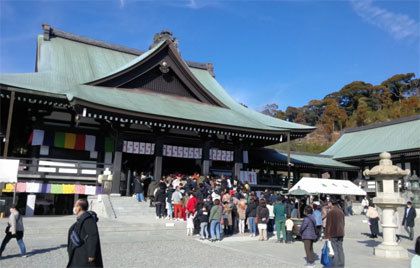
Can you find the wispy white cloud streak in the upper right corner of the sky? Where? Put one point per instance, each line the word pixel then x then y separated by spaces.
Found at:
pixel 400 26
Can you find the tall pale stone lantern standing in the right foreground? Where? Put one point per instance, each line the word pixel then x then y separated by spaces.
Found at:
pixel 388 198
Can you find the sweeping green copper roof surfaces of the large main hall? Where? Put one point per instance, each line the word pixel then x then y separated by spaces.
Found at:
pixel 66 66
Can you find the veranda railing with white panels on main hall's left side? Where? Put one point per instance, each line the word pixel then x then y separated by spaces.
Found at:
pixel 60 169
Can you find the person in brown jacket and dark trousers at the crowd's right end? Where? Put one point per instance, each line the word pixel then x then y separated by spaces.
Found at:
pixel 334 231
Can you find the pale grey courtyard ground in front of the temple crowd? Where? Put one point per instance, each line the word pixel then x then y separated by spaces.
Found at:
pixel 146 242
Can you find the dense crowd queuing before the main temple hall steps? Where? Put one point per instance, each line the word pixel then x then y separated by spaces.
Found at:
pixel 218 207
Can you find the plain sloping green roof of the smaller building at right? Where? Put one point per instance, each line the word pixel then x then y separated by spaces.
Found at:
pixel 371 140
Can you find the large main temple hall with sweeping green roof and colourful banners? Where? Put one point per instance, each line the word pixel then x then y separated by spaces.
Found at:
pixel 92 106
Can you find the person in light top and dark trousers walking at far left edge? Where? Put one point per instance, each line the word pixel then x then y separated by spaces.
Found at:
pixel 14 229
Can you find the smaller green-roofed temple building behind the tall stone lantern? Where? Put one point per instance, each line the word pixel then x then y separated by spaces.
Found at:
pixel 361 147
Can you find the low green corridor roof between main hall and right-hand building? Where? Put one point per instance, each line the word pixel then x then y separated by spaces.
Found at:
pixel 278 157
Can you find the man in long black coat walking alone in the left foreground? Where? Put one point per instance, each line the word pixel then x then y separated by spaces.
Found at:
pixel 83 246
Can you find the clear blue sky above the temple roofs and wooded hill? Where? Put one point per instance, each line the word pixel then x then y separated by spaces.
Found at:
pixel 286 52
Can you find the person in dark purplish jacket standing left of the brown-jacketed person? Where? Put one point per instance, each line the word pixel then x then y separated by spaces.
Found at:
pixel 308 235
